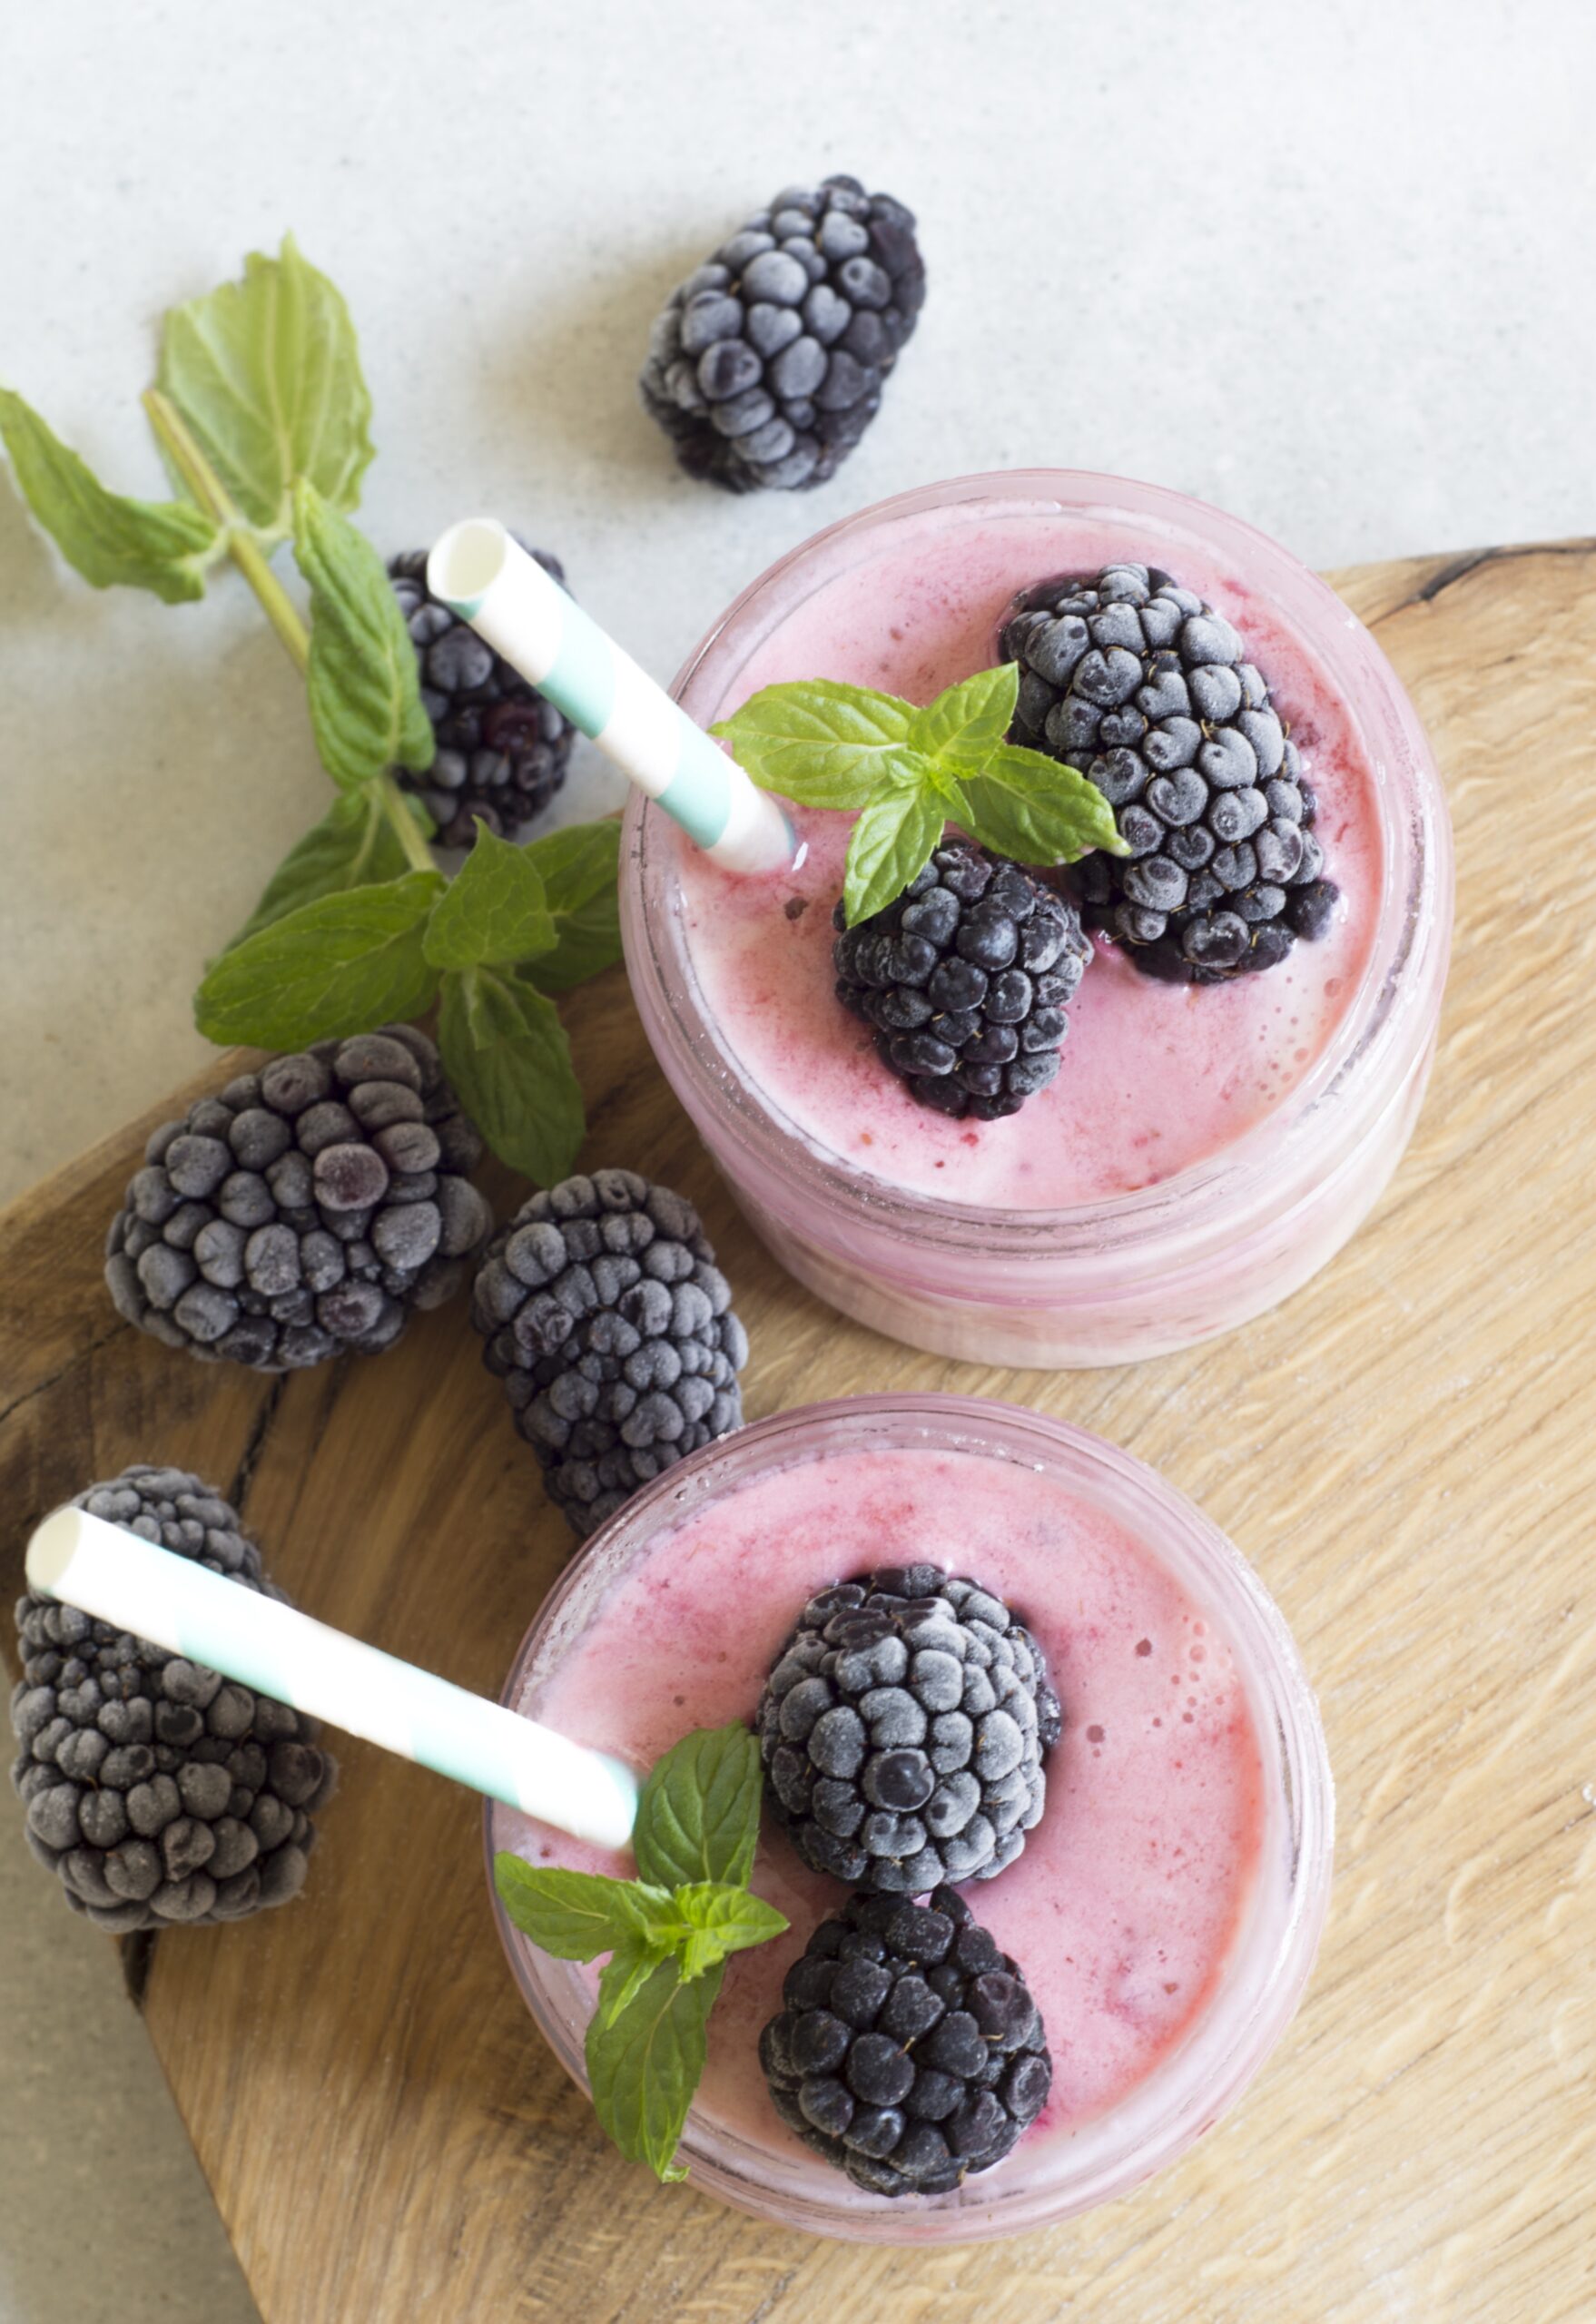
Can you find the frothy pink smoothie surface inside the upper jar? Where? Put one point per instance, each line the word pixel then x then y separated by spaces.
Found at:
pixel 1156 1077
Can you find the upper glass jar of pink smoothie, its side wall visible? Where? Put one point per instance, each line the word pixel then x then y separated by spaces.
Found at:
pixel 1207 1147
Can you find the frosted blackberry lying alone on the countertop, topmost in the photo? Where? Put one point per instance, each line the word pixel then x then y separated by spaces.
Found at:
pixel 768 364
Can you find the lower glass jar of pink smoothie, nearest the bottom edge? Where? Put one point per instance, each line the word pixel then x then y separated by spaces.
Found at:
pixel 1165 1909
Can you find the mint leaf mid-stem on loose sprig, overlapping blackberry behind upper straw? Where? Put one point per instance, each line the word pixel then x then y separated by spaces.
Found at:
pixel 364 680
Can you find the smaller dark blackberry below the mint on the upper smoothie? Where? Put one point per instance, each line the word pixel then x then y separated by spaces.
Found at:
pixel 968 977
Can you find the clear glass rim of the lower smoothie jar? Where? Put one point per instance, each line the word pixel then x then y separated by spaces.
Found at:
pixel 1272 1953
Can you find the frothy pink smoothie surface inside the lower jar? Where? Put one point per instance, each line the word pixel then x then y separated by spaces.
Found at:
pixel 1130 1891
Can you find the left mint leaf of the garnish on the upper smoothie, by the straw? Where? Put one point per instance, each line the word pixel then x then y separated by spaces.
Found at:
pixel 824 743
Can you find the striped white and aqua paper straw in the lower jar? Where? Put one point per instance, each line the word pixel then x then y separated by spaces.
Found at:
pixel 136 1586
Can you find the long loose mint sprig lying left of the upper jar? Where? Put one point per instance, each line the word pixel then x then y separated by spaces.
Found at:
pixel 261 417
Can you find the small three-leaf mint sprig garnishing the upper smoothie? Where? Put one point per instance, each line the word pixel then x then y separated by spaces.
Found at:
pixel 907 773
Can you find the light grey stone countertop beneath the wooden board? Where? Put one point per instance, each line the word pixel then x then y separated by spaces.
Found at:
pixel 1323 266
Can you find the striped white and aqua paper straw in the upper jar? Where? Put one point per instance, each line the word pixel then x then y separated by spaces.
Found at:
pixel 526 617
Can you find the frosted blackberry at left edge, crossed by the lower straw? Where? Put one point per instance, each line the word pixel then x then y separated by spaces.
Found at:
pixel 154 1788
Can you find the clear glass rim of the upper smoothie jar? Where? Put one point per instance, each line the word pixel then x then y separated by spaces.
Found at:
pixel 1409 949
